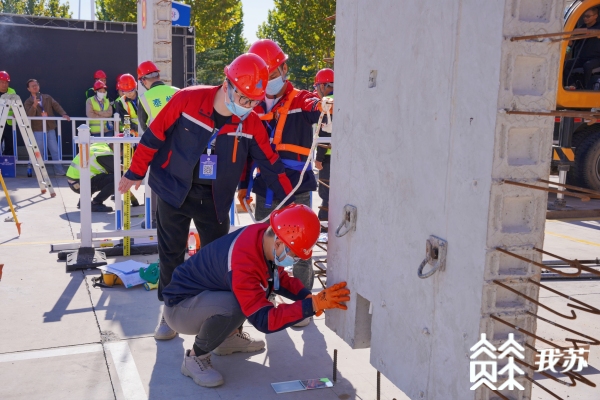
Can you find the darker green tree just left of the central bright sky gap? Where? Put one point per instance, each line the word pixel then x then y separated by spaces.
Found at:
pixel 210 63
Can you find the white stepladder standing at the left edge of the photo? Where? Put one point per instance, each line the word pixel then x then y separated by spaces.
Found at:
pixel 8 101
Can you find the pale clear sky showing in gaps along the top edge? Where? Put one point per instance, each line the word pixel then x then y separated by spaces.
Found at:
pixel 255 13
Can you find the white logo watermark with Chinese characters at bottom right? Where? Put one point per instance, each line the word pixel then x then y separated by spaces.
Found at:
pixel 486 372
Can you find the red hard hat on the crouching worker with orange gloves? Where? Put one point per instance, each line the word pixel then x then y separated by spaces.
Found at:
pixel 298 227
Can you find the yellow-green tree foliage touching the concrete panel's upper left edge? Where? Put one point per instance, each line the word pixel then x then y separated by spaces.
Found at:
pixel 299 27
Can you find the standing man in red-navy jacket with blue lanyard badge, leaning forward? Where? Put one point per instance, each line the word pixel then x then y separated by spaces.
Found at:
pixel 197 127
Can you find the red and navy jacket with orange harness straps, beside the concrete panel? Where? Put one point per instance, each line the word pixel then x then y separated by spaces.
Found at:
pixel 294 142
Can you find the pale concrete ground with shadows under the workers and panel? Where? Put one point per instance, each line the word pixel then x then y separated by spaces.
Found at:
pixel 62 339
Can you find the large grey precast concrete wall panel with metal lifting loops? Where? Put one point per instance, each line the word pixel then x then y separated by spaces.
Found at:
pixel 421 146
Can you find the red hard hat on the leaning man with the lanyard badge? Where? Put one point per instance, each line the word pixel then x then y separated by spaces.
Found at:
pixel 249 74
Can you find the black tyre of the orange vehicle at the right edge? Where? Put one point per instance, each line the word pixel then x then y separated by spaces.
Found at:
pixel 587 162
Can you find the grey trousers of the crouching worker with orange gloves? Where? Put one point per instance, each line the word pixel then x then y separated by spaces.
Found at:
pixel 211 316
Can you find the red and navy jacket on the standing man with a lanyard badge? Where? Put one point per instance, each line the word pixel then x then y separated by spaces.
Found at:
pixel 179 135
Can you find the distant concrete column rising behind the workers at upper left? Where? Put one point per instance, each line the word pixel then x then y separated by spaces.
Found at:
pixel 154 35
